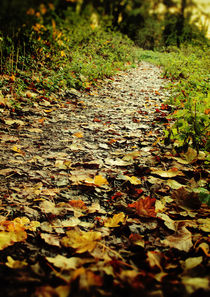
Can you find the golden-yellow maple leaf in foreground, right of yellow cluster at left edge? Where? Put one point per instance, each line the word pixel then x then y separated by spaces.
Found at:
pixel 81 241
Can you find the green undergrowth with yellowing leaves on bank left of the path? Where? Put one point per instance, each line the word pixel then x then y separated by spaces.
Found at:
pixel 59 54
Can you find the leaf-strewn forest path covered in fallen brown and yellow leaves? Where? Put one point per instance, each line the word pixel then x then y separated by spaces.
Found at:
pixel 93 202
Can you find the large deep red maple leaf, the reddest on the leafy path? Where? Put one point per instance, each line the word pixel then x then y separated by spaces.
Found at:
pixel 144 207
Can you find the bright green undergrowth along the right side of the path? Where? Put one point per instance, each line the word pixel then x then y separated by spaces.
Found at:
pixel 188 70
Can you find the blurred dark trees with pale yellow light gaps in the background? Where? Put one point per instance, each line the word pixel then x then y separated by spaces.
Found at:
pixel 146 22
